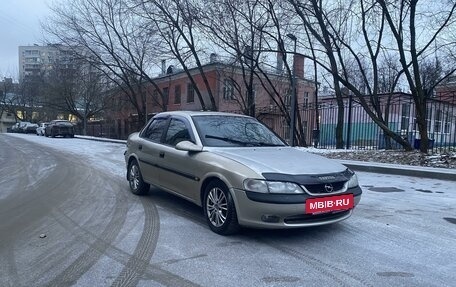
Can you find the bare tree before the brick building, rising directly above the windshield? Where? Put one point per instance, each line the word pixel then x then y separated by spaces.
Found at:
pixel 238 29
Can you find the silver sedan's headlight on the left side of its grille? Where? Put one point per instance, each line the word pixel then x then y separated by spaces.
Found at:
pixel 276 187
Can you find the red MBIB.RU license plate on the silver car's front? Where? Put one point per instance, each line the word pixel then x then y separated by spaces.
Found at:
pixel 329 203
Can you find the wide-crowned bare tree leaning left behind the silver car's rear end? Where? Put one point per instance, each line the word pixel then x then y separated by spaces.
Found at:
pixel 112 38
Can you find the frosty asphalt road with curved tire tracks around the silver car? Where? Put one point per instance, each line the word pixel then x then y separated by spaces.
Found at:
pixel 65 221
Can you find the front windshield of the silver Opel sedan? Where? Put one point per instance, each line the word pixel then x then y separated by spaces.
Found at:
pixel 234 131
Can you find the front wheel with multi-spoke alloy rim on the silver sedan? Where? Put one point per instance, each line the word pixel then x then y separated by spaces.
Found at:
pixel 219 209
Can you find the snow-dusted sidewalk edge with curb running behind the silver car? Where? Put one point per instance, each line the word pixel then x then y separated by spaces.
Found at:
pixel 385 168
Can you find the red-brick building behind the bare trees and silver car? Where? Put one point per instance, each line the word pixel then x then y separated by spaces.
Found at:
pixel 271 92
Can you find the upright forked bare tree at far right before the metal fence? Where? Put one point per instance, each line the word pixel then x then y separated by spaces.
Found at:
pixel 404 21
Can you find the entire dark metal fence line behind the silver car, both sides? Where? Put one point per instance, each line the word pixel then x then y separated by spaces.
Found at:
pixel 359 131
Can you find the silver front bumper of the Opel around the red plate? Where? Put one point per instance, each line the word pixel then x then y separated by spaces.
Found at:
pixel 282 211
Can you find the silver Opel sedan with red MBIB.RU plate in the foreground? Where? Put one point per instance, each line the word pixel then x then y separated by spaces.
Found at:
pixel 239 172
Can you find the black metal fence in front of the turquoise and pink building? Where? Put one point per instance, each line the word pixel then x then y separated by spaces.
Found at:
pixel 361 132
